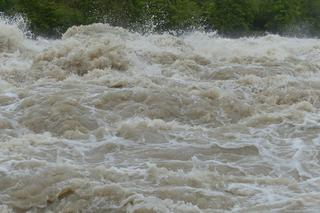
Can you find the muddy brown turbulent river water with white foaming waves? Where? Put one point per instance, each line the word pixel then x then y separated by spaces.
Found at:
pixel 106 120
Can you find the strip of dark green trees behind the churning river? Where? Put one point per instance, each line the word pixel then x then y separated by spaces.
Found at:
pixel 229 17
